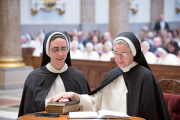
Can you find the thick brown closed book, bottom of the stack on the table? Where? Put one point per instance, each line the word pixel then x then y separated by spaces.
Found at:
pixel 62 109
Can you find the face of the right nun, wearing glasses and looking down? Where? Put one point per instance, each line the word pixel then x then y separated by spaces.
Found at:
pixel 121 60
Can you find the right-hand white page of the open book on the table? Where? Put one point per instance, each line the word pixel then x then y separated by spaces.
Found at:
pixel 112 114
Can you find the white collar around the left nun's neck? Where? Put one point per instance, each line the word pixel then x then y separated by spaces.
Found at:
pixel 52 69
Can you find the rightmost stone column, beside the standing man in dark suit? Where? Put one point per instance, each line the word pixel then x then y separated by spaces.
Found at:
pixel 157 8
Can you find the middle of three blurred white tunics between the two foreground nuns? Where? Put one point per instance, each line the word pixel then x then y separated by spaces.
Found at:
pixel 90 56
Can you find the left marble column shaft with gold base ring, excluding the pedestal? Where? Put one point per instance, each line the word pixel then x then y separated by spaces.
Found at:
pixel 10 43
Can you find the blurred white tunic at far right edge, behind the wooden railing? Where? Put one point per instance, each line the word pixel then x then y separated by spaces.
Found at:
pixel 170 59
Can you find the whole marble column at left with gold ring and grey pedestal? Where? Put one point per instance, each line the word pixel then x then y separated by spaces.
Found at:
pixel 12 70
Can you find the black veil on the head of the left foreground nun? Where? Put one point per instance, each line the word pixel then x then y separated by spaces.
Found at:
pixel 45 57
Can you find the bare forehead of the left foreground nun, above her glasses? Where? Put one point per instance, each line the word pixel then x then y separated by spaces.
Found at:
pixel 58 42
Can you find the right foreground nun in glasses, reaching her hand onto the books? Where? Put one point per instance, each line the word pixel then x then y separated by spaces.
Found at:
pixel 131 87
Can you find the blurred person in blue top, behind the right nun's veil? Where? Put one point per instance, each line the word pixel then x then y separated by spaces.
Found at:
pixel 157 42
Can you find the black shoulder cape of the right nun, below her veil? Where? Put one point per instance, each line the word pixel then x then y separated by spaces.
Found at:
pixel 144 97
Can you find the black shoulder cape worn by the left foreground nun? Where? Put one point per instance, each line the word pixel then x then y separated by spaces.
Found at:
pixel 39 82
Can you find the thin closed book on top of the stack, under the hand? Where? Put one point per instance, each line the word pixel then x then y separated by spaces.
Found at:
pixel 63 104
